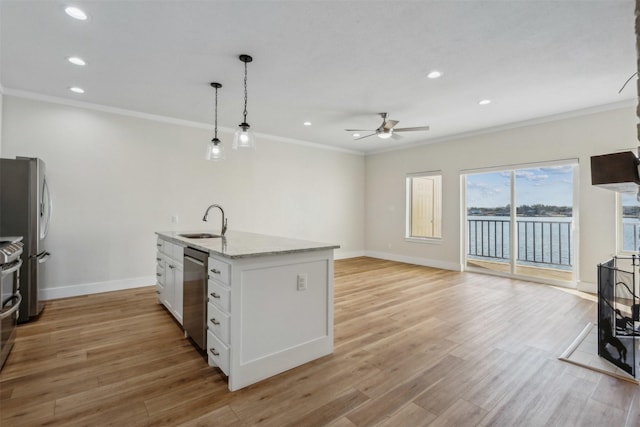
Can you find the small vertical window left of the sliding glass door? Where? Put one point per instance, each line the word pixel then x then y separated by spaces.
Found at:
pixel 424 206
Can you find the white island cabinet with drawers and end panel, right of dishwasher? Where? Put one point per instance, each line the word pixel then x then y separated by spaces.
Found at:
pixel 261 321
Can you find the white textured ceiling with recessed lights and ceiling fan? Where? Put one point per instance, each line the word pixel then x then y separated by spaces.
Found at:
pixel 334 63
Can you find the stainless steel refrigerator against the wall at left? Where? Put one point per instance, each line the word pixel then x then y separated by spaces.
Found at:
pixel 25 210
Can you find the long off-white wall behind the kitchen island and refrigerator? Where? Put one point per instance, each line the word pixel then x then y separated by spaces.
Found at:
pixel 116 179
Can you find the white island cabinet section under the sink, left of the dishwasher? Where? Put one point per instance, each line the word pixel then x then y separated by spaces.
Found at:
pixel 169 272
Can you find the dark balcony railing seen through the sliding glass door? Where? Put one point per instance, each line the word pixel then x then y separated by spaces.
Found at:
pixel 539 241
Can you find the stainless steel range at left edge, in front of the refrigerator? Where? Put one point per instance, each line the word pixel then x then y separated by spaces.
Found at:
pixel 11 249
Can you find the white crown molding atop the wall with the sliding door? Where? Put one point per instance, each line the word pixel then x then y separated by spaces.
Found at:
pixel 515 125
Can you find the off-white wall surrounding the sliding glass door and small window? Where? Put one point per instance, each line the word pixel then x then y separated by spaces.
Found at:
pixel 578 137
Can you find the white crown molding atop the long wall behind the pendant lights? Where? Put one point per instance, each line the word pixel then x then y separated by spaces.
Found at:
pixel 166 119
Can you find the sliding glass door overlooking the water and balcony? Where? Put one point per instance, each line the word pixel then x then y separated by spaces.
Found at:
pixel 520 221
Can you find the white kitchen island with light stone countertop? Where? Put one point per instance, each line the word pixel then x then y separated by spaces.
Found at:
pixel 269 300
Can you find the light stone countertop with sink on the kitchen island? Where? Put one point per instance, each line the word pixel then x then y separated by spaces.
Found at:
pixel 240 244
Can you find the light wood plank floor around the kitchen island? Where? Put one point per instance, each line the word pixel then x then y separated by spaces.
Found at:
pixel 413 346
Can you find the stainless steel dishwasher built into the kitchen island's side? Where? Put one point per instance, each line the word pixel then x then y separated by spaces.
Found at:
pixel 195 296
